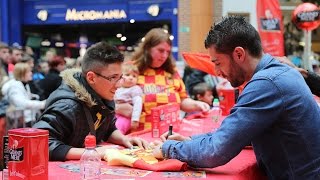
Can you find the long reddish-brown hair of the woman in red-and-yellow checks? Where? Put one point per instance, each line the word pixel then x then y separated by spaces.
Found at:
pixel 142 57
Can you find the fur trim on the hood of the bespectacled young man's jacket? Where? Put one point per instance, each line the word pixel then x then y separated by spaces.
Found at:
pixel 80 91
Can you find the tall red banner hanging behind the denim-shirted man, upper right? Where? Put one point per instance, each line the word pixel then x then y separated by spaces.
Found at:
pixel 270 26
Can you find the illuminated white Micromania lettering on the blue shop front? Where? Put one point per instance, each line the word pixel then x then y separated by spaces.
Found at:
pixel 85 15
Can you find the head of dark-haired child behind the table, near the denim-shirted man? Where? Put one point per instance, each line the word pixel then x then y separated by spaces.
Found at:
pixel 202 92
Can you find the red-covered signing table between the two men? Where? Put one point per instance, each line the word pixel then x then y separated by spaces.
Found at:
pixel 243 166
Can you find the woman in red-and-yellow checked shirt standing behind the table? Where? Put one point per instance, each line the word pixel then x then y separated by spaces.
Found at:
pixel 159 79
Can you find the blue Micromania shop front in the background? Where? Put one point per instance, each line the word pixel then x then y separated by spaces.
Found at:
pixel 72 25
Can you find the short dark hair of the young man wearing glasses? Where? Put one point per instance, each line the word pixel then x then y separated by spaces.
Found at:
pixel 100 55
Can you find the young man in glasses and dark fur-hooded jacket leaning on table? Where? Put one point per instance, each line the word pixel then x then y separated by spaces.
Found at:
pixel 84 104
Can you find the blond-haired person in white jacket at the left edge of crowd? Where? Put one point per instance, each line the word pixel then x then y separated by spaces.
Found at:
pixel 17 92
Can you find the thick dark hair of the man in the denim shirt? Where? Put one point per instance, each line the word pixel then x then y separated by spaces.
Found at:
pixel 234 31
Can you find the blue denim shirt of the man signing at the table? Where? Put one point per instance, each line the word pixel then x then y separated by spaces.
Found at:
pixel 277 113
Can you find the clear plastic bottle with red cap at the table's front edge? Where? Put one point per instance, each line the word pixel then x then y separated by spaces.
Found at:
pixel 90 160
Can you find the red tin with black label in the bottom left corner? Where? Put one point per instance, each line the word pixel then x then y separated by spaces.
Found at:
pixel 28 154
